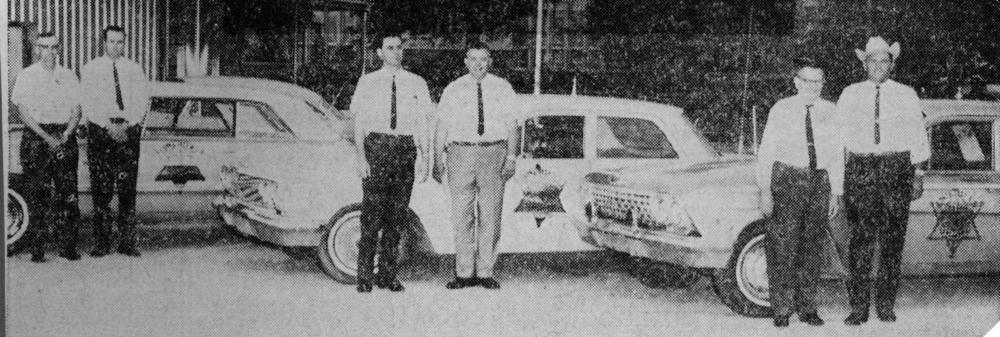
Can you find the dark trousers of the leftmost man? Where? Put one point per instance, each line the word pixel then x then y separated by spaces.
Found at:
pixel 51 189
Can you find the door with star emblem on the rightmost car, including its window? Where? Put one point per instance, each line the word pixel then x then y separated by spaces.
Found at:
pixel 955 226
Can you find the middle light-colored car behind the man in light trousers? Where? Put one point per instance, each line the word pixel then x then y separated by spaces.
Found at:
pixel 312 198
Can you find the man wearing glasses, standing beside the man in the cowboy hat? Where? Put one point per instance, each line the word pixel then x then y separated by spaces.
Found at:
pixel 798 166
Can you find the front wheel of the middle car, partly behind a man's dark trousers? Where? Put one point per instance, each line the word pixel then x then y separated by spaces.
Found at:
pixel 338 248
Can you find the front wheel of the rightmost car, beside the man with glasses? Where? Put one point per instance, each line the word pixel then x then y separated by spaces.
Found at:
pixel 743 285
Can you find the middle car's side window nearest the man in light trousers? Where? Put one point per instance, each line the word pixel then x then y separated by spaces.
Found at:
pixel 554 137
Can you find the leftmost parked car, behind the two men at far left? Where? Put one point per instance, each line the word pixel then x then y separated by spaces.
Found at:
pixel 189 132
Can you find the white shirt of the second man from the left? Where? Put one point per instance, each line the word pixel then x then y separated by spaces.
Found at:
pixel 100 104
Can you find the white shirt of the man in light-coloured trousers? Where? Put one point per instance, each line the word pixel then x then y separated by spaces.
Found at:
pixel 459 109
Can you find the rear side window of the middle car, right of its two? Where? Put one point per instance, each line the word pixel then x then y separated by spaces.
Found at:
pixel 623 137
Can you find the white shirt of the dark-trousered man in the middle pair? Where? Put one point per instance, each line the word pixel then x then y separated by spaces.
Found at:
pixel 371 103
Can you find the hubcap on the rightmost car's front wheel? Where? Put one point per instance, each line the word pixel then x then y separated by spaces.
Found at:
pixel 751 272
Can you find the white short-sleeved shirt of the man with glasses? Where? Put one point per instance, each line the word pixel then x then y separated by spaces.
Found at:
pixel 784 140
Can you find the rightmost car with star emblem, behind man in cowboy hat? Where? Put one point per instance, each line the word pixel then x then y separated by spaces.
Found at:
pixel 704 217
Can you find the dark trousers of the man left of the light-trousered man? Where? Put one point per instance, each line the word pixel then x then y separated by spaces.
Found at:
pixel 385 205
